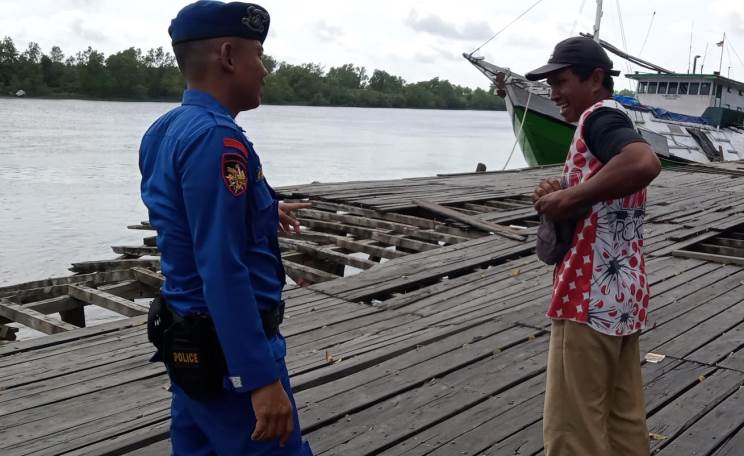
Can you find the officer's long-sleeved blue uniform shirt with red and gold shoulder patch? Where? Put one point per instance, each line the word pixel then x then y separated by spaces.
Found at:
pixel 216 219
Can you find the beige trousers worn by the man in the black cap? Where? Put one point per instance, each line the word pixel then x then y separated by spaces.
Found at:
pixel 594 394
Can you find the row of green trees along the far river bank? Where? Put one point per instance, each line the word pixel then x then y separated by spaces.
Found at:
pixel 132 74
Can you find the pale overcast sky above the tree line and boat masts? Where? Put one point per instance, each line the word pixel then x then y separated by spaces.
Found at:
pixel 417 40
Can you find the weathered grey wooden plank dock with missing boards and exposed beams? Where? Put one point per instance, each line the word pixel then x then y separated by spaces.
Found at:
pixel 421 333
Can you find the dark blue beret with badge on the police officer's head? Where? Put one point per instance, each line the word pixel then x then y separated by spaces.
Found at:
pixel 212 19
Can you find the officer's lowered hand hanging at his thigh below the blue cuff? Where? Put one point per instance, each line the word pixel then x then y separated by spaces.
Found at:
pixel 273 413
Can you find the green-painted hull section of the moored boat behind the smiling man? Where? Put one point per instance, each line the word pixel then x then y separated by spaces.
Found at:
pixel 545 140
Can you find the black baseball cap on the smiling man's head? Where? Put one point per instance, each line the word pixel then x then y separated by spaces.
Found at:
pixel 576 51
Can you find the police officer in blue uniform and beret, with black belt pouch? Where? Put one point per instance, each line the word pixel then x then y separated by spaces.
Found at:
pixel 217 220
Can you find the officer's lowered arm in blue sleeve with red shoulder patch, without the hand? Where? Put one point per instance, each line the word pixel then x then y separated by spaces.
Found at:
pixel 214 184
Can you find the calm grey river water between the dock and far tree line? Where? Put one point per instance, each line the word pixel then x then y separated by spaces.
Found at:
pixel 69 181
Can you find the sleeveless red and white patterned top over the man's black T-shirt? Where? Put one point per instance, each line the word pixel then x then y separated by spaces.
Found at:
pixel 602 280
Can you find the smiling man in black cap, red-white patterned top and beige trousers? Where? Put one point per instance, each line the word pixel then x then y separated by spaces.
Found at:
pixel 594 402
